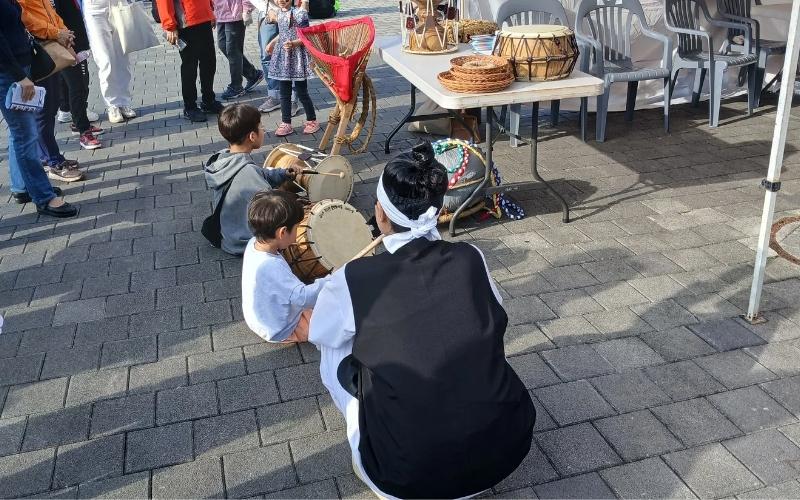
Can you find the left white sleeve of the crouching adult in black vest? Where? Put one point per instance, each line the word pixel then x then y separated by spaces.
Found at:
pixel 332 322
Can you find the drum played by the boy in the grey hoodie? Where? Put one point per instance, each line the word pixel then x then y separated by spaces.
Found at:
pixel 318 187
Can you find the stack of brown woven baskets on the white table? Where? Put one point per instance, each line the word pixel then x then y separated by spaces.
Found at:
pixel 477 75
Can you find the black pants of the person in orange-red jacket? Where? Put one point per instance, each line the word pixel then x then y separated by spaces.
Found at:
pixel 200 52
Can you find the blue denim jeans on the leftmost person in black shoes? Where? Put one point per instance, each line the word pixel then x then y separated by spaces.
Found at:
pixel 25 168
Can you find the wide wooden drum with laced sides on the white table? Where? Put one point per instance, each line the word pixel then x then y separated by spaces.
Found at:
pixel 538 52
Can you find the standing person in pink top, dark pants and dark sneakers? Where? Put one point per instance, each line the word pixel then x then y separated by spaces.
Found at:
pixel 230 37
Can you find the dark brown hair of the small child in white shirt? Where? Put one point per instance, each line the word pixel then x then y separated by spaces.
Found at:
pixel 270 210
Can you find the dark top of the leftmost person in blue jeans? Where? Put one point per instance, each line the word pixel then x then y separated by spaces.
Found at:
pixel 15 47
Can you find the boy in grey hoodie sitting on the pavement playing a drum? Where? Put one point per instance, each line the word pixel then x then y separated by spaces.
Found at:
pixel 232 173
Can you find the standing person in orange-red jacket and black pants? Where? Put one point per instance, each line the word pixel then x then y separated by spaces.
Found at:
pixel 191 21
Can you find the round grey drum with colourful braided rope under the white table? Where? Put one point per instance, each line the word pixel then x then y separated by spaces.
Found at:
pixel 465 169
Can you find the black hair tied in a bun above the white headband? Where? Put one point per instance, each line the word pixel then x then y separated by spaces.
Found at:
pixel 415 180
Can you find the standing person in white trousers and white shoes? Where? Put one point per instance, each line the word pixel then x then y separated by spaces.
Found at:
pixel 113 65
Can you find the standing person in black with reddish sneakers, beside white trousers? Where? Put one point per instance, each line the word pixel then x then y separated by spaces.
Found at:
pixel 77 77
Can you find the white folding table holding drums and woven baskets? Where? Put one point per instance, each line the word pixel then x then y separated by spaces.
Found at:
pixel 421 72
